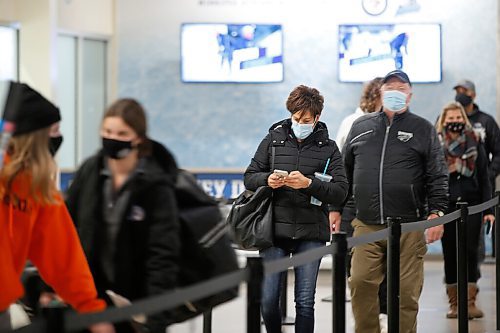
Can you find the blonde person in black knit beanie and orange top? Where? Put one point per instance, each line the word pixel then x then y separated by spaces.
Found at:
pixel 34 222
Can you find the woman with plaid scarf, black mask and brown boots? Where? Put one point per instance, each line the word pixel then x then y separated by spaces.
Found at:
pixel 468 168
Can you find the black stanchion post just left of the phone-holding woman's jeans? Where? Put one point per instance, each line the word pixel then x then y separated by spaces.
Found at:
pixel 254 293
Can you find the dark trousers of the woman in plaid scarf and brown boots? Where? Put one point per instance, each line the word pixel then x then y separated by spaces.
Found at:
pixel 474 223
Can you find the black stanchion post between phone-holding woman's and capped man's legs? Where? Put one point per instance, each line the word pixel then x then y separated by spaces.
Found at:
pixel 339 255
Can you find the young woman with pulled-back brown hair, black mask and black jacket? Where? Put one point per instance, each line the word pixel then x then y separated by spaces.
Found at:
pixel 123 203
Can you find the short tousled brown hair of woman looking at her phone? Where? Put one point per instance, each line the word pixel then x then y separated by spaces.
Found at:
pixel 307 99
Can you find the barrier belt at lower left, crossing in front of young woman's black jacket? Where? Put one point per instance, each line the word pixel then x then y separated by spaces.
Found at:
pixel 155 304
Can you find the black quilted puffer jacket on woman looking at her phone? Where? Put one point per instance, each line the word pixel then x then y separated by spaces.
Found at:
pixel 294 216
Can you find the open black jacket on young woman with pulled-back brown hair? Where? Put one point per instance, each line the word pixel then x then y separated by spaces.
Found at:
pixel 148 241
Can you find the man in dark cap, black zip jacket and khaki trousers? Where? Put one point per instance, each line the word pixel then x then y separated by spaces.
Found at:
pixel 395 166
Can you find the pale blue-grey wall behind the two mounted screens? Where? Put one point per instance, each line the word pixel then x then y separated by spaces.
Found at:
pixel 220 125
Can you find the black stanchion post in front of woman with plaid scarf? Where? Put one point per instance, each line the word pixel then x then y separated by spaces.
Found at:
pixel 463 315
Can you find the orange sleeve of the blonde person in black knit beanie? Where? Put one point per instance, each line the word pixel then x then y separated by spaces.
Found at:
pixel 56 251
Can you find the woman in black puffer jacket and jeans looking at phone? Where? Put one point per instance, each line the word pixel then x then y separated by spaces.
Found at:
pixel 302 147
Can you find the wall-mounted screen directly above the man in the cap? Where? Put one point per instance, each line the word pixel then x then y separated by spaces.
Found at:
pixel 370 50
